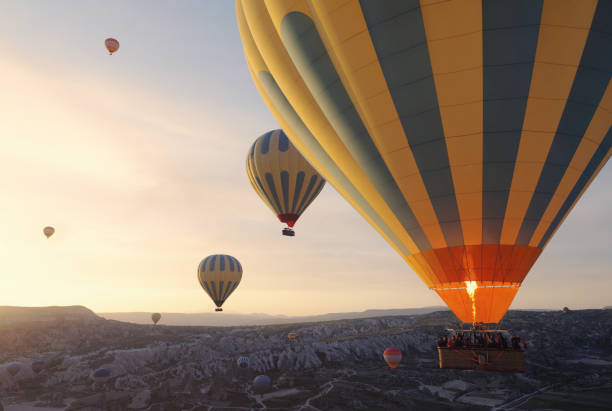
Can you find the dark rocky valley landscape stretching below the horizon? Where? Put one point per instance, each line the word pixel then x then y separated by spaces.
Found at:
pixel 331 365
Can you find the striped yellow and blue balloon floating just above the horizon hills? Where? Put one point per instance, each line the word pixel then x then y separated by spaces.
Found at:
pixel 219 275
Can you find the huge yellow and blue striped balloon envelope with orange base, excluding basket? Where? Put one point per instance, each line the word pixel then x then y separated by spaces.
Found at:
pixel 463 131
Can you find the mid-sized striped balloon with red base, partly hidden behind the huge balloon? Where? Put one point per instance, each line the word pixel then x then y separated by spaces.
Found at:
pixel 282 177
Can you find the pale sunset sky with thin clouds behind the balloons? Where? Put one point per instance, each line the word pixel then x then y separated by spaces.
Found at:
pixel 138 160
